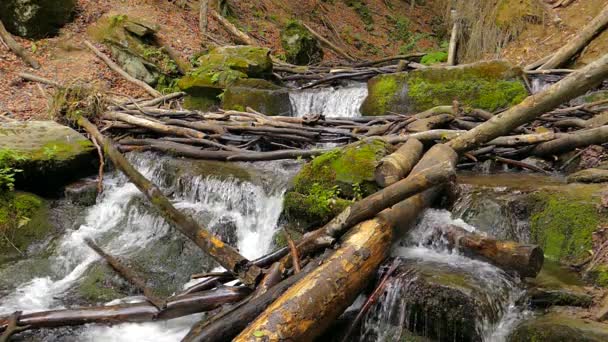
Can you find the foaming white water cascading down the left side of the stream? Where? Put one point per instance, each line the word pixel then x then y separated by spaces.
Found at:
pixel 120 227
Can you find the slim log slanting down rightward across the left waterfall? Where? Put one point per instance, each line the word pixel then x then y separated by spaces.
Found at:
pixel 225 255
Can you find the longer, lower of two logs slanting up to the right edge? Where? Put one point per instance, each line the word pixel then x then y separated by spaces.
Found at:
pixel 573 85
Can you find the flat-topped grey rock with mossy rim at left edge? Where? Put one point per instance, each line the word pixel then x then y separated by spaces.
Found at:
pixel 49 154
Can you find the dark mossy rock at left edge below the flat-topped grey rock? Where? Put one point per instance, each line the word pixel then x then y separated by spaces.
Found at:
pixel 23 220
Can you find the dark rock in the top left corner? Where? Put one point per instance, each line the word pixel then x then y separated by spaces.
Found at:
pixel 36 18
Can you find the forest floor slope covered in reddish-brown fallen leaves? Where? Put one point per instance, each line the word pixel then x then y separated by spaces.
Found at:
pixel 367 33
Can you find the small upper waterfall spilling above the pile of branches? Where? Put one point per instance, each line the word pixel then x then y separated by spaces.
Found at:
pixel 330 102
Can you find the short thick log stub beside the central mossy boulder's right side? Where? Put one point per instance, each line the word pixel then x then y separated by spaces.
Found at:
pixel 397 165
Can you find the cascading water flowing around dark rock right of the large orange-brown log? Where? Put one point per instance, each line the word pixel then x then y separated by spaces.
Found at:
pixel 392 315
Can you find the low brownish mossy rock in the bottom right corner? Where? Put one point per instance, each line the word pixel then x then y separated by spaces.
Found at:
pixel 559 327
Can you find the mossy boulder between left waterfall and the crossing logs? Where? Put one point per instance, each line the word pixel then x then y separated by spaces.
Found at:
pixel 328 184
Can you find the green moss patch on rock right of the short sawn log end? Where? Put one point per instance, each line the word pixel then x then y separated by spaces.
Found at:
pixel 562 224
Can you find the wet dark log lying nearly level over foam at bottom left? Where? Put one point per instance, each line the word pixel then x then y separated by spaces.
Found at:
pixel 136 312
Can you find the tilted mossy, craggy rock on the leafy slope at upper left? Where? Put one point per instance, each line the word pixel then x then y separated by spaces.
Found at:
pixel 135 48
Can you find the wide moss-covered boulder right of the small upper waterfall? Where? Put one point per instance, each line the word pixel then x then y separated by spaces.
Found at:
pixel 487 85
